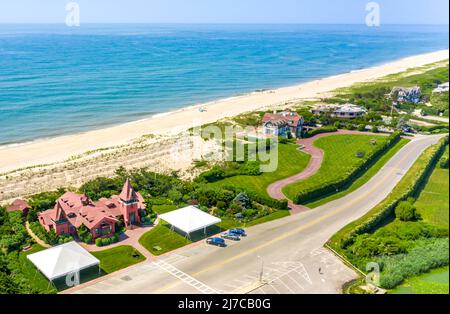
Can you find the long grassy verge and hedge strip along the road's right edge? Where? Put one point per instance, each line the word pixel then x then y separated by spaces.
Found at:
pixel 408 186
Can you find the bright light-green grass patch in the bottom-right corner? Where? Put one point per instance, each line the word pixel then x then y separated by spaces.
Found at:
pixel 434 282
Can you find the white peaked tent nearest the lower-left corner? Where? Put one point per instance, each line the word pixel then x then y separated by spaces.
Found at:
pixel 63 260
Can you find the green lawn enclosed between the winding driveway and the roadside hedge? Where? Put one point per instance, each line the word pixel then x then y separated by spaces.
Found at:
pixel 339 159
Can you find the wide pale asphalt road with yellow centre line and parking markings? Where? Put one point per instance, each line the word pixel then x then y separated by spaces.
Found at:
pixel 289 251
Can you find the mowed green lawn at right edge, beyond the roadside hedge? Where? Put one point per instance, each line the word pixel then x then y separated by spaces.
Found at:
pixel 433 201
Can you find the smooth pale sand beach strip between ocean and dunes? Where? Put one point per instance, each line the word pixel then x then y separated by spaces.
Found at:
pixel 56 149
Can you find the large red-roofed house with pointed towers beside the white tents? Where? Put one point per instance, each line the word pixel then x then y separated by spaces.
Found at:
pixel 73 210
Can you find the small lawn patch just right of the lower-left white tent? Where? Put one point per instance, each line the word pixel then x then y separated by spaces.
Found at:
pixel 117 258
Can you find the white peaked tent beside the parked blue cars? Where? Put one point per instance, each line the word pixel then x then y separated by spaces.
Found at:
pixel 190 219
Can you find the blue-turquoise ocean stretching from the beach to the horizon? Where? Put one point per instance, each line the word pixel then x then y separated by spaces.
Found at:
pixel 57 80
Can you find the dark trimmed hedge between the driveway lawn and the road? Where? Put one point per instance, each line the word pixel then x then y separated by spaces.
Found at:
pixel 313 193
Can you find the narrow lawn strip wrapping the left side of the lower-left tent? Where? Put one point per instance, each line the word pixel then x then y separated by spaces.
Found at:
pixel 38 280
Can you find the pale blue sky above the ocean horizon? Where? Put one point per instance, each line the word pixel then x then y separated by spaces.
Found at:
pixel 225 11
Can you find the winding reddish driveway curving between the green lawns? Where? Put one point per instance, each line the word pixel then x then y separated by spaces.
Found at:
pixel 275 190
